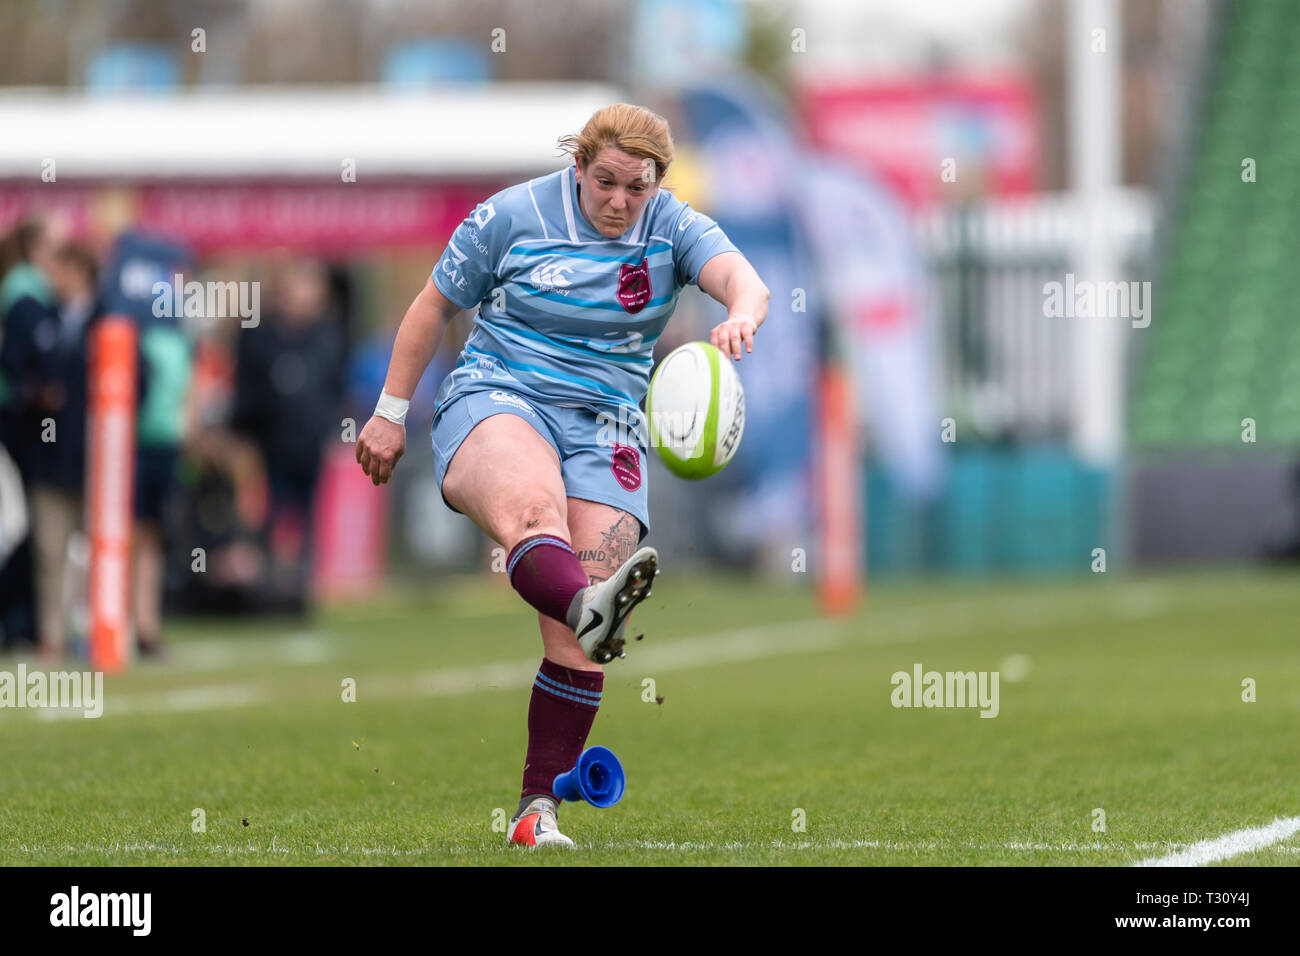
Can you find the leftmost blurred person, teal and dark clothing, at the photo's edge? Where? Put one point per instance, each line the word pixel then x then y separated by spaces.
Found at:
pixel 28 322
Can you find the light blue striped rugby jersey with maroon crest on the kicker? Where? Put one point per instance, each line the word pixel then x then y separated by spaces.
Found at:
pixel 566 315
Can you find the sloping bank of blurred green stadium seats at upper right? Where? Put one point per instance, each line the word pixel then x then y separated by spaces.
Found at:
pixel 1225 336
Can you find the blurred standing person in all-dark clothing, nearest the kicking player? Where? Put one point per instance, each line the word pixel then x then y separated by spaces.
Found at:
pixel 288 397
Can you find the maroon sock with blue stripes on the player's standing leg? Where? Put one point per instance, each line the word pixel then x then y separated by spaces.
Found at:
pixel 560 719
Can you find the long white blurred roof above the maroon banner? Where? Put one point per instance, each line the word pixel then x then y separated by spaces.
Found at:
pixel 471 131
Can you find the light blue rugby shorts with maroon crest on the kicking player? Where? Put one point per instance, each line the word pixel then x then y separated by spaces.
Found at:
pixel 600 460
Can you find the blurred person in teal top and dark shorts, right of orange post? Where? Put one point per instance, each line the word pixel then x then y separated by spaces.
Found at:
pixel 166 362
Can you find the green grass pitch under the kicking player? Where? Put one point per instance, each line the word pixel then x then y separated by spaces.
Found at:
pixel 1121 695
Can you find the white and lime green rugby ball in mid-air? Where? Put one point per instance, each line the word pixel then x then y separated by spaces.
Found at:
pixel 696 408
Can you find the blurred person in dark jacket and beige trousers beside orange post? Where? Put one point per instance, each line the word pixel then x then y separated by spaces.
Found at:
pixel 59 466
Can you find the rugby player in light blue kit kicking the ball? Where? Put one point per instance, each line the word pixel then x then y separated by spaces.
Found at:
pixel 575 276
